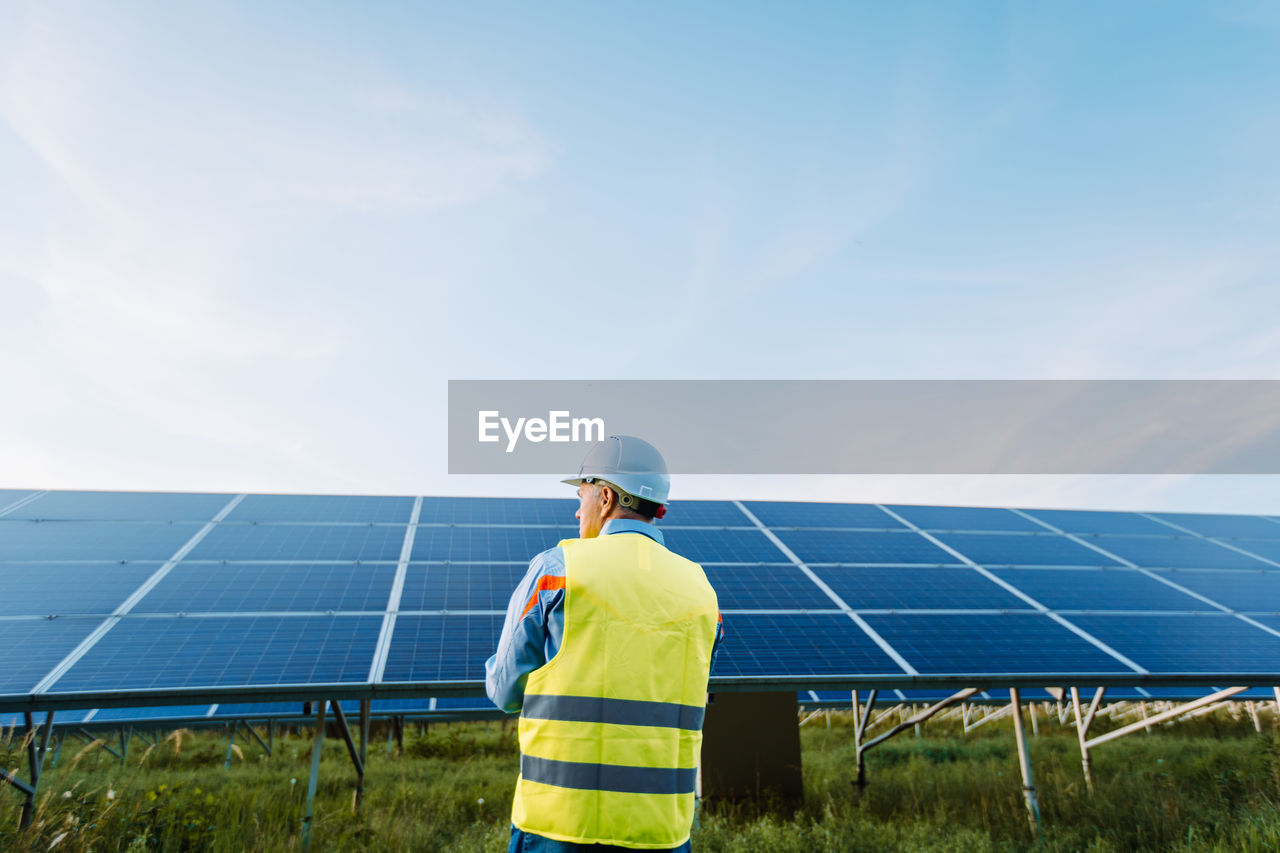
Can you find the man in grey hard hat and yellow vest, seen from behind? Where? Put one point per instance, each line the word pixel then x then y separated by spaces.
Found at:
pixel 606 653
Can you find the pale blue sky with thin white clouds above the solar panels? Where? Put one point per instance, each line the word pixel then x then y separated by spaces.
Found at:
pixel 245 249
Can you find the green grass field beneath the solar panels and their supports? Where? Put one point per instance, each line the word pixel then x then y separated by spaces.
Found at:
pixel 1209 784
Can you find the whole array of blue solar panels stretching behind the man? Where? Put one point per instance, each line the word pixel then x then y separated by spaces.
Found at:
pixel 154 595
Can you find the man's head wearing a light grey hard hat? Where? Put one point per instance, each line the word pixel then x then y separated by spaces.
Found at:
pixel 623 477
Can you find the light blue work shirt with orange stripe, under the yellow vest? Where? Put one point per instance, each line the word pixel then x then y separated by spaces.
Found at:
pixel 534 627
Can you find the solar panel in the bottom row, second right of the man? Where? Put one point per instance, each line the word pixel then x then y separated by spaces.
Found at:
pixel 963 644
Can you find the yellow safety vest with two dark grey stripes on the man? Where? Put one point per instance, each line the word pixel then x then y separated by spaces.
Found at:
pixel 611 728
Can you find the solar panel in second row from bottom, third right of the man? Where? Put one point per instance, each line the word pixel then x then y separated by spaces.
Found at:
pixel 1098 590
